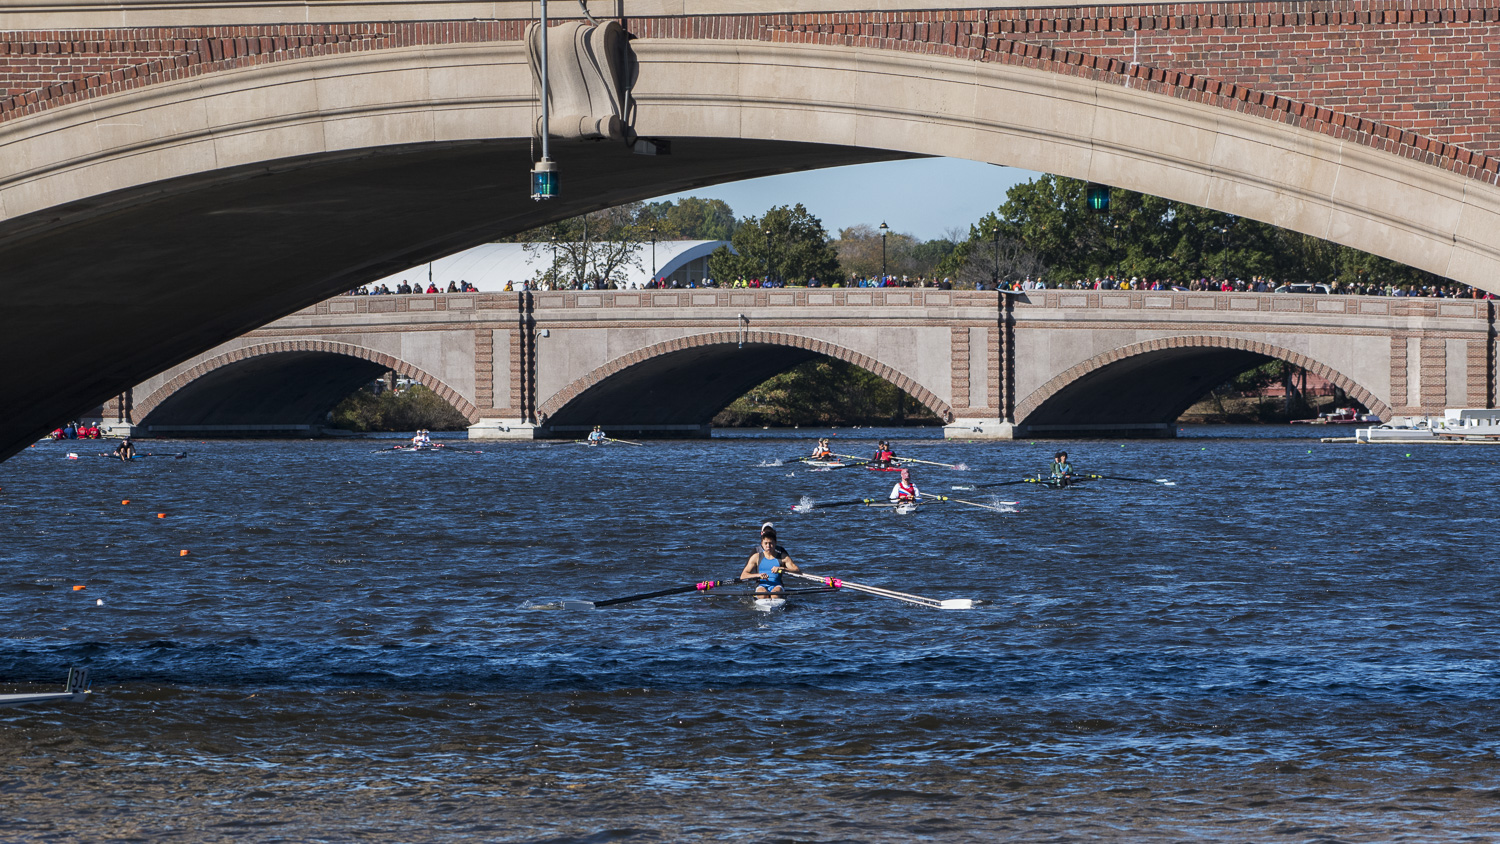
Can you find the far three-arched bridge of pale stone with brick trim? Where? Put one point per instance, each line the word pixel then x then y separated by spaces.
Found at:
pixel 662 364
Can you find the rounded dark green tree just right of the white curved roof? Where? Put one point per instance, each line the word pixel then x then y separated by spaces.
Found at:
pixel 787 245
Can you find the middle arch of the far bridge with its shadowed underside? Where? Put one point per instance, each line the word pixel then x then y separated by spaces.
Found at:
pixel 689 380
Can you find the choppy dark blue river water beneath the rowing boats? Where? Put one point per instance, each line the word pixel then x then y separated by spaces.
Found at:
pixel 1297 642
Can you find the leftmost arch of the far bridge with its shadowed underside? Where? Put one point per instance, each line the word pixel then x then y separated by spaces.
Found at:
pixel 278 383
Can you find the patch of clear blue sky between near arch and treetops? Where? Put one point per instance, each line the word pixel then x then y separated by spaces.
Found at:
pixel 923 197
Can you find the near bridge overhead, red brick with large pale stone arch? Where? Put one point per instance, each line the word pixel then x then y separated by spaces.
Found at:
pixel 176 173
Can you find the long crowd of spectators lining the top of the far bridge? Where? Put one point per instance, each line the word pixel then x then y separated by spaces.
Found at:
pixel 1255 284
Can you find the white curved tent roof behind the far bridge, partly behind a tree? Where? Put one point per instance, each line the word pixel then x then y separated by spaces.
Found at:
pixel 491 266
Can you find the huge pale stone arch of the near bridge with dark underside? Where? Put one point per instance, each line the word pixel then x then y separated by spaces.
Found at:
pixel 352 167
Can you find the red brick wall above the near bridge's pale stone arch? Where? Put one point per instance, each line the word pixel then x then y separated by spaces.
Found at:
pixel 1420 80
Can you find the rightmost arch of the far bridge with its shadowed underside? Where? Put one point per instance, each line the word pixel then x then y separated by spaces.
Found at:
pixel 1156 382
